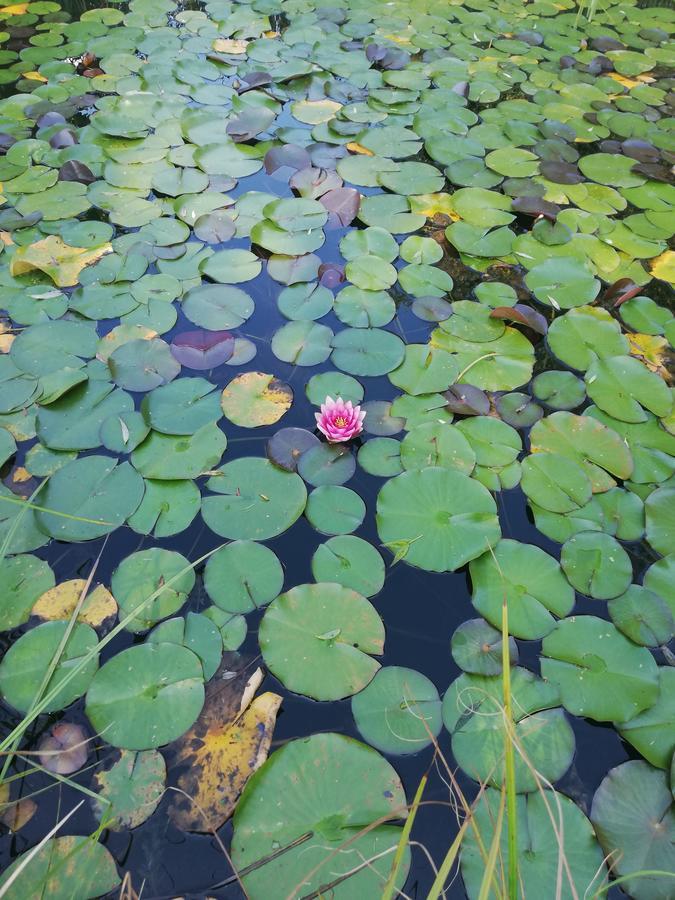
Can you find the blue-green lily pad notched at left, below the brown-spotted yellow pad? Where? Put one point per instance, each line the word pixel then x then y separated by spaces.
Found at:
pixel 253 500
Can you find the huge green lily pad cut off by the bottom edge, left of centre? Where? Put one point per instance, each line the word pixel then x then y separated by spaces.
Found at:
pixel 361 788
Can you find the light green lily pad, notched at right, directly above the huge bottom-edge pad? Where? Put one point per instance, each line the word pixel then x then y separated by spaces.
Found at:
pixel 316 639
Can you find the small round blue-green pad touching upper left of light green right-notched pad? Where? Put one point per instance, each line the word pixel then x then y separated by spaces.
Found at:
pixel 243 576
